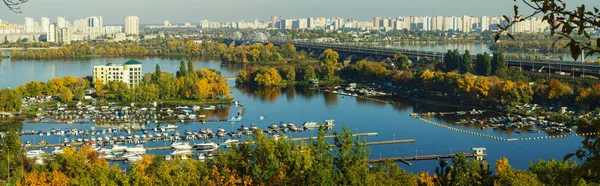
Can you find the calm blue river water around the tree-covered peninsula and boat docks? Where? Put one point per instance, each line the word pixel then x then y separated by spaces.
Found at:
pixel 297 104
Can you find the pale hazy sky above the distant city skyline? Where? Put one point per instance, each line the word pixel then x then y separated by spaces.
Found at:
pixel 179 11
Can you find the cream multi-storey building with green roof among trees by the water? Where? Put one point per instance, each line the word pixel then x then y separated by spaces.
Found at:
pixel 129 72
